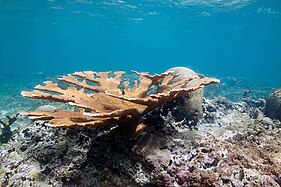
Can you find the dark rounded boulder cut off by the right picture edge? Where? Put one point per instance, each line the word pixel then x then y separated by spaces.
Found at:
pixel 273 105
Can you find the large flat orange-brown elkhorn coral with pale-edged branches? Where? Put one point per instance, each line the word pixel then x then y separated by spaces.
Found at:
pixel 106 98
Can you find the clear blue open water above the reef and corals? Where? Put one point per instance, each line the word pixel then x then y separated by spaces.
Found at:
pixel 219 38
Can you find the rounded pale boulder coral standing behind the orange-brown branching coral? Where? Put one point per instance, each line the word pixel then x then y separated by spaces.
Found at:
pixel 188 106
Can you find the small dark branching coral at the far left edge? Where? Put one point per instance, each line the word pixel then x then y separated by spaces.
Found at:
pixel 6 133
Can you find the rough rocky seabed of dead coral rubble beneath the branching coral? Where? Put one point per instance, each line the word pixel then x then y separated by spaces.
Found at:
pixel 233 145
